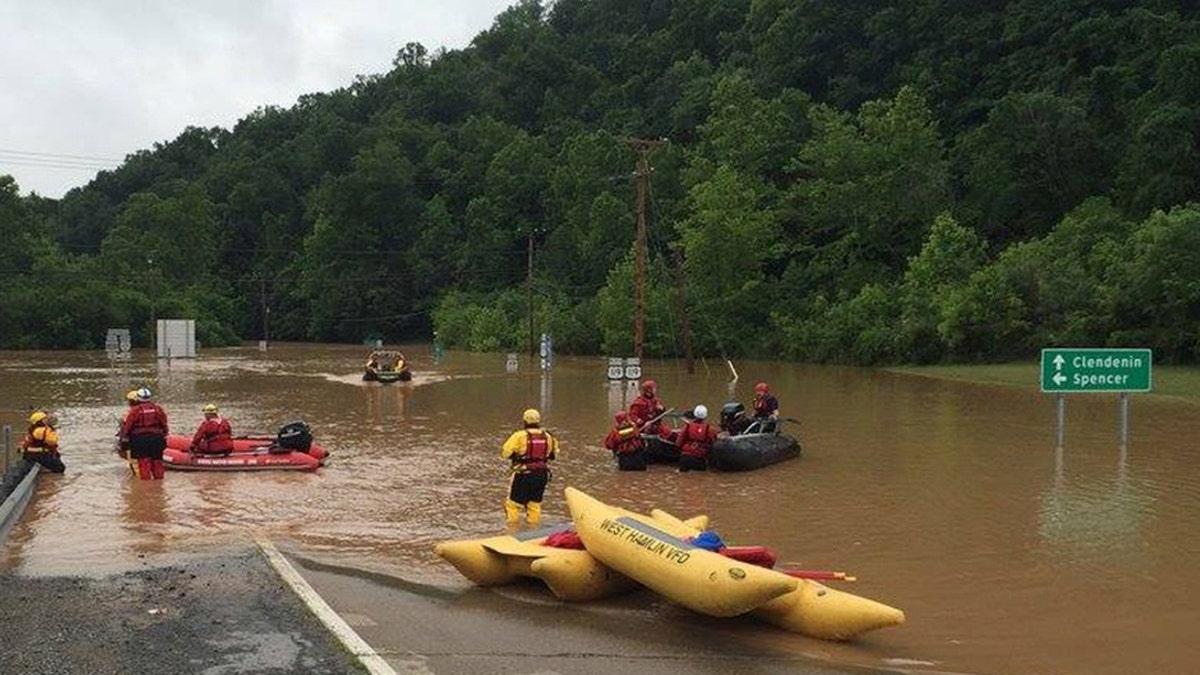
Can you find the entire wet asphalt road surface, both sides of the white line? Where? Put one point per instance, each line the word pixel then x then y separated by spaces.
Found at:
pixel 232 613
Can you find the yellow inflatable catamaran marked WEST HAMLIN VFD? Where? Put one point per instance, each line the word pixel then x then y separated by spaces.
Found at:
pixel 659 555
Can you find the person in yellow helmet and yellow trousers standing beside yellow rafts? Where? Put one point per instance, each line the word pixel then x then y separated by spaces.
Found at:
pixel 530 450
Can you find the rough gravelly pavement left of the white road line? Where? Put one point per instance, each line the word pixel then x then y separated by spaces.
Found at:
pixel 214 616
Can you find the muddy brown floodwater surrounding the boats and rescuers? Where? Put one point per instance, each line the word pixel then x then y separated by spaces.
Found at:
pixel 947 500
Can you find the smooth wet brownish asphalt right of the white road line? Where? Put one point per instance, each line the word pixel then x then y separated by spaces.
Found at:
pixel 523 629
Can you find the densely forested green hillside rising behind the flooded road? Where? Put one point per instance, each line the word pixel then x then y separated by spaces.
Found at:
pixel 865 183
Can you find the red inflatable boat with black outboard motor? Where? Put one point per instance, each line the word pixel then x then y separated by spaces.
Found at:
pixel 292 450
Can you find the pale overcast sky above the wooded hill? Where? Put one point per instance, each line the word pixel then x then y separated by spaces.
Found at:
pixel 83 83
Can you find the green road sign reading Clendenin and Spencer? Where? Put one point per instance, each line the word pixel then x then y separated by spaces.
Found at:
pixel 1083 371
